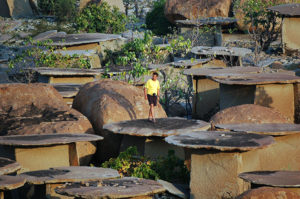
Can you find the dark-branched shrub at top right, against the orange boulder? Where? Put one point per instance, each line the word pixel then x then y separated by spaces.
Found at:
pixel 262 22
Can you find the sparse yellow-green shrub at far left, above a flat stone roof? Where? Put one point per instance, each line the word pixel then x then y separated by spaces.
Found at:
pixel 42 54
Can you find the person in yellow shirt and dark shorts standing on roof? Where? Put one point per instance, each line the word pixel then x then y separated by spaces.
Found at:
pixel 151 92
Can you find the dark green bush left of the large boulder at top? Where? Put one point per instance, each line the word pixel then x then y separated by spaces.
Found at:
pixel 156 20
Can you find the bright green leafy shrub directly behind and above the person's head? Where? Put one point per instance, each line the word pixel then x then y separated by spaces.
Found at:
pixel 136 54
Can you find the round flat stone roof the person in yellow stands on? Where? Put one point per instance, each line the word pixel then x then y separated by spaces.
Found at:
pixel 163 127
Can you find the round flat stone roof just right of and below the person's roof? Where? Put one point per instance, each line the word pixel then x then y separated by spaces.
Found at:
pixel 221 140
